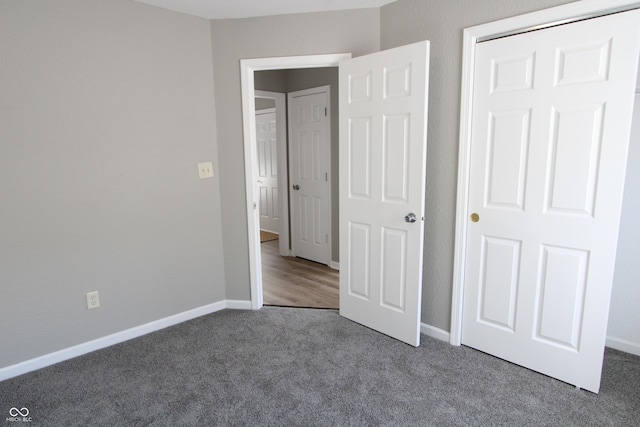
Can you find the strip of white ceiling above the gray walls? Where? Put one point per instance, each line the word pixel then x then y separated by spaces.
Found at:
pixel 223 9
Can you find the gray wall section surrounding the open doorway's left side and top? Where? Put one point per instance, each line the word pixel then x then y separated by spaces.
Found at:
pixel 355 31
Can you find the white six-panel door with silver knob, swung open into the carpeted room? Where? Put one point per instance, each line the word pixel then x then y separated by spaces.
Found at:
pixel 383 129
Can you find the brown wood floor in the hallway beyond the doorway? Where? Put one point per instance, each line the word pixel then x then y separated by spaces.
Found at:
pixel 296 282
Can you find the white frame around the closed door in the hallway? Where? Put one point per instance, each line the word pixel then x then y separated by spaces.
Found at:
pixel 292 162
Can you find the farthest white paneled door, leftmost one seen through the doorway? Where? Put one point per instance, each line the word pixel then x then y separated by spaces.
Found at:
pixel 268 170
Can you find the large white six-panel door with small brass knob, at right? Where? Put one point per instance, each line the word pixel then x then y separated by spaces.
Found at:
pixel 551 118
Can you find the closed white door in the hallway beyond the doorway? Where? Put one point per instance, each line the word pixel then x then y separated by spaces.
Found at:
pixel 310 167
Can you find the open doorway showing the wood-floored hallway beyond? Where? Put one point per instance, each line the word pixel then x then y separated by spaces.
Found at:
pixel 295 276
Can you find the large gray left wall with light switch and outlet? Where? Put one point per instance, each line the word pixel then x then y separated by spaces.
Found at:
pixel 105 109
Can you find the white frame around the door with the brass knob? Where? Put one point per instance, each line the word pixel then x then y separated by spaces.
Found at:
pixel 535 20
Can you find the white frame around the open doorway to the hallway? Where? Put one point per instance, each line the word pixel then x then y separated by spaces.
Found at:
pixel 247 69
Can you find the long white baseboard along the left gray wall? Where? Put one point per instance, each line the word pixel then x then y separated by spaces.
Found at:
pixel 118 337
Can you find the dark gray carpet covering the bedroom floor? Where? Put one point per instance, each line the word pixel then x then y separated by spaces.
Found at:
pixel 285 366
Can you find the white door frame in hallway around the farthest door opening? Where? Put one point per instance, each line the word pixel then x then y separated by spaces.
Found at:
pixel 283 176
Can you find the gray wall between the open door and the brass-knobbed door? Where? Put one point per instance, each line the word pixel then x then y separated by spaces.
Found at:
pixel 442 22
